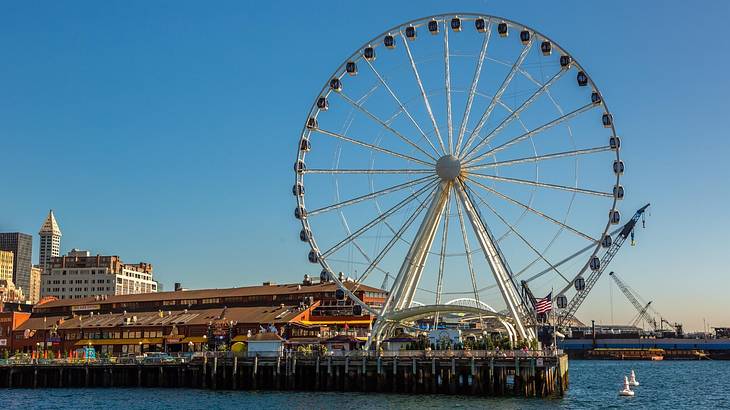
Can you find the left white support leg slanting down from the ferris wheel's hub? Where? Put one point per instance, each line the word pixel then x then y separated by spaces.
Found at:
pixel 409 275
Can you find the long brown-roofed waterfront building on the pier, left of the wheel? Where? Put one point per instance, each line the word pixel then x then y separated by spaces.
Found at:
pixel 197 319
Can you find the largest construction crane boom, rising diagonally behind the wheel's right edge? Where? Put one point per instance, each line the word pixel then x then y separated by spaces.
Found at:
pixel 584 286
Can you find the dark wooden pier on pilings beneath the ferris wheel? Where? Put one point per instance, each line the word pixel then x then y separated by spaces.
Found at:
pixel 525 375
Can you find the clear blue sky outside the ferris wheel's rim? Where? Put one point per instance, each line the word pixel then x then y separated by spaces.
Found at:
pixel 165 131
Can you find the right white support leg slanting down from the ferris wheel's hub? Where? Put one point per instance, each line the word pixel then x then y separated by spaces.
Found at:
pixel 498 266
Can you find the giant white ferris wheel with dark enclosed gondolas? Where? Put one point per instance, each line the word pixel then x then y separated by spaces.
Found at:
pixel 451 157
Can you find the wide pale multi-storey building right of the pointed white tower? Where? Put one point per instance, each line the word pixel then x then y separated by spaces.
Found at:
pixel 79 275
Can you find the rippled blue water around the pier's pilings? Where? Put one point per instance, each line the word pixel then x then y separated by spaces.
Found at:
pixel 594 384
